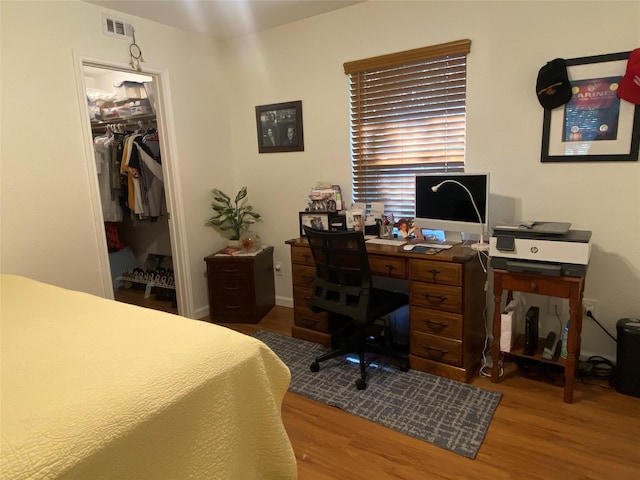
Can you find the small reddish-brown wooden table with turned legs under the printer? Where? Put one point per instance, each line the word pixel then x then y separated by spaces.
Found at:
pixel 563 287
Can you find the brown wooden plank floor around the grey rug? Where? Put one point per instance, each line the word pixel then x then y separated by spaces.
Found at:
pixel 533 435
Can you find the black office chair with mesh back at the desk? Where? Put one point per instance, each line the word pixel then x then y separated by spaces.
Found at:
pixel 343 286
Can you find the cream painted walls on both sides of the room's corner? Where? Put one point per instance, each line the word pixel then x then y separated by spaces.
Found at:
pixel 47 226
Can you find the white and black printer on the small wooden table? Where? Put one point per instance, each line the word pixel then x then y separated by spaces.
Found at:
pixel 546 248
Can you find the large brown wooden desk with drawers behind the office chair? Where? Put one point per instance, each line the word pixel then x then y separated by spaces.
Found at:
pixel 446 304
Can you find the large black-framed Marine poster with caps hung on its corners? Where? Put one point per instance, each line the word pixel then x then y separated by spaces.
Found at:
pixel 595 125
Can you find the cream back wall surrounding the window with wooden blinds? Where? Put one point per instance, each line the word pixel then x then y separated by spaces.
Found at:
pixel 510 42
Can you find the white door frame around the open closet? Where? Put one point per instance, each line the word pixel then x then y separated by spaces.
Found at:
pixel 170 171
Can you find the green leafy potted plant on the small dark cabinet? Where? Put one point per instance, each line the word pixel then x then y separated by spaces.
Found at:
pixel 235 217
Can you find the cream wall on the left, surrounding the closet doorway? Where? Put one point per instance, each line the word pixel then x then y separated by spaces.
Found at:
pixel 48 229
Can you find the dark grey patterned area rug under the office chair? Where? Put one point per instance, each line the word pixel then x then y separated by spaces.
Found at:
pixel 450 414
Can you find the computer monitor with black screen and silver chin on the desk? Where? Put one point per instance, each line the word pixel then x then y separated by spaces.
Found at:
pixel 449 209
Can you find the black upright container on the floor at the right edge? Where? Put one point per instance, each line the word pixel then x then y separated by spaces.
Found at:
pixel 628 357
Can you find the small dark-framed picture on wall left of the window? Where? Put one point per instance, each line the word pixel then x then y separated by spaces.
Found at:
pixel 280 127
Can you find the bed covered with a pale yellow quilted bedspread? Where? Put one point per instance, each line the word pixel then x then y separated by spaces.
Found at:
pixel 96 389
